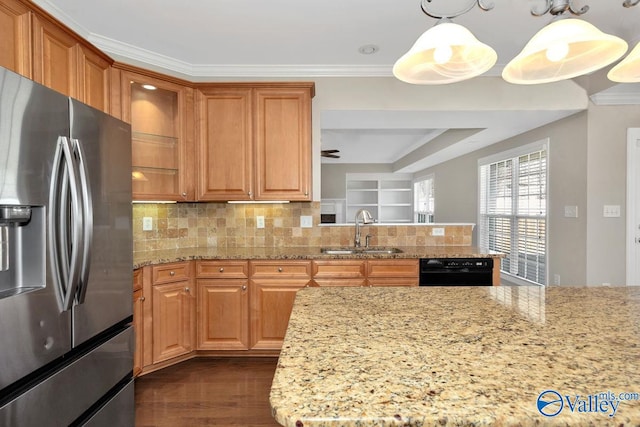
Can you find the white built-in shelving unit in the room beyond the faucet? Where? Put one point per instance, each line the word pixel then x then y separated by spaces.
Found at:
pixel 388 196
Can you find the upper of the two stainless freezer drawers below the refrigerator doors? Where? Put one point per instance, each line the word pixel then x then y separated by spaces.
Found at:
pixel 67 393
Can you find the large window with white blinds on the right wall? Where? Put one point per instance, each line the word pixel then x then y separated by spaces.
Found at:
pixel 513 210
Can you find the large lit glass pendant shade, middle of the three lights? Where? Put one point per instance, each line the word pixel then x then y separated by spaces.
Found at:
pixel 565 48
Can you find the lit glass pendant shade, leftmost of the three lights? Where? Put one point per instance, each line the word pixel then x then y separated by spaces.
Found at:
pixel 446 53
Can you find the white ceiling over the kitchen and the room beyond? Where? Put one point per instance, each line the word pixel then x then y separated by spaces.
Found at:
pixel 204 40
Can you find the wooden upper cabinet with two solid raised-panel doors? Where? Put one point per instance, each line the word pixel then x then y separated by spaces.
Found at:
pixel 254 141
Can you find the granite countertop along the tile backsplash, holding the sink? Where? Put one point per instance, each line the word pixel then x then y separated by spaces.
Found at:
pixel 140 259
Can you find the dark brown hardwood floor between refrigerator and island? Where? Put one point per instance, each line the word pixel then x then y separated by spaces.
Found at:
pixel 207 392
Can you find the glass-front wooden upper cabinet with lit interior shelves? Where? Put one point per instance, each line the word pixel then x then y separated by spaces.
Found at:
pixel 161 119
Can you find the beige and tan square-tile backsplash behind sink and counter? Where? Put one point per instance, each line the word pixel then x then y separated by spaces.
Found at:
pixel 187 225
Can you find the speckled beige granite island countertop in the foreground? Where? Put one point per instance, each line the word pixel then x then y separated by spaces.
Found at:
pixel 458 356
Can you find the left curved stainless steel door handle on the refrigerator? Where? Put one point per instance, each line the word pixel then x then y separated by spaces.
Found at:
pixel 66 224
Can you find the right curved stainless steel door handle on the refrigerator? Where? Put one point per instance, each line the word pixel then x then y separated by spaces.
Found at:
pixel 87 209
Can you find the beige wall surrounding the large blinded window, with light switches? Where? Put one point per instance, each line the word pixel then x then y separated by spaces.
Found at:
pixel 587 168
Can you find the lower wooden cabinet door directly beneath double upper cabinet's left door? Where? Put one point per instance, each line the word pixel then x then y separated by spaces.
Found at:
pixel 223 314
